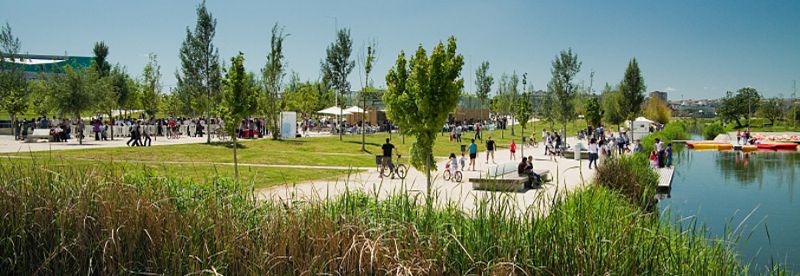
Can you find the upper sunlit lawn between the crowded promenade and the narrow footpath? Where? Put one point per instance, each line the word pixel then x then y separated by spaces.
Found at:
pixel 323 151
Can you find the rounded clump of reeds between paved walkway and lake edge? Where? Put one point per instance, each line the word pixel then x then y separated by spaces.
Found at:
pixel 631 176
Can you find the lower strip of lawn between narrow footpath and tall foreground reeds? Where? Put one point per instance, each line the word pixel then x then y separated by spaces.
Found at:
pixel 262 177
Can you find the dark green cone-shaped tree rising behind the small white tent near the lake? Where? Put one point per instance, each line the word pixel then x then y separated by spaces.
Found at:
pixel 632 92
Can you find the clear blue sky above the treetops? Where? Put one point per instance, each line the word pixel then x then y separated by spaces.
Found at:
pixel 692 49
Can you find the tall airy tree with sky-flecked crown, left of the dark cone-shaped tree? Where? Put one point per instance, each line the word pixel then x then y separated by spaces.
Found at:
pixel 562 85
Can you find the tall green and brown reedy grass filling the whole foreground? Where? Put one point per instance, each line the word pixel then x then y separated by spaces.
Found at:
pixel 63 219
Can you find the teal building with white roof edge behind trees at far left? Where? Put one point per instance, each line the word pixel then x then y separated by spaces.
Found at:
pixel 33 65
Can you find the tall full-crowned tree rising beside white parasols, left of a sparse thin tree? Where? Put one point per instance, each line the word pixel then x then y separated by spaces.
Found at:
pixel 337 66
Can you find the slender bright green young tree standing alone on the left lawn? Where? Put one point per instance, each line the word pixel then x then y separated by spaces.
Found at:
pixel 238 101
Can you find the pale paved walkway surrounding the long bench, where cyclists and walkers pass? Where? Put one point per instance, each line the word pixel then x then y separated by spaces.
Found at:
pixel 567 174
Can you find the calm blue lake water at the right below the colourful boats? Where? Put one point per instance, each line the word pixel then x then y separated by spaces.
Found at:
pixel 721 188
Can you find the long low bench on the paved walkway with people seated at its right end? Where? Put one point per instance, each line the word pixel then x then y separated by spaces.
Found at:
pixel 504 177
